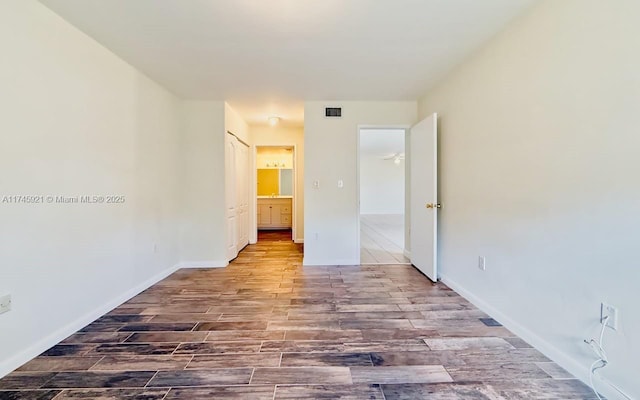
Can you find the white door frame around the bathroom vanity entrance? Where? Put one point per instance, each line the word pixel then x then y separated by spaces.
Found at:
pixel 253 192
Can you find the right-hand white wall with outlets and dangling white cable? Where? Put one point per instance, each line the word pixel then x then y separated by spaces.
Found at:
pixel 539 173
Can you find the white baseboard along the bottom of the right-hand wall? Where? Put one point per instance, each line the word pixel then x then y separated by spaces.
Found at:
pixel 552 352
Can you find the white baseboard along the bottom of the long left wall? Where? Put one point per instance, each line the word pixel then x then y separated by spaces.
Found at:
pixel 7 366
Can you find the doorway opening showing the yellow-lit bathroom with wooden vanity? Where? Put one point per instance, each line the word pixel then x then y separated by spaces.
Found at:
pixel 275 192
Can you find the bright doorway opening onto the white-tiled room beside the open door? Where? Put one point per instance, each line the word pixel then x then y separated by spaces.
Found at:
pixel 382 174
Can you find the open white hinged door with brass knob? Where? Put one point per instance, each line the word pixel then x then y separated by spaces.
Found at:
pixel 424 196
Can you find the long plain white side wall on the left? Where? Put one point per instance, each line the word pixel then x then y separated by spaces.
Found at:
pixel 76 120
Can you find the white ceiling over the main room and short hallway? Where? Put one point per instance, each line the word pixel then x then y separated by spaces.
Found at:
pixel 266 57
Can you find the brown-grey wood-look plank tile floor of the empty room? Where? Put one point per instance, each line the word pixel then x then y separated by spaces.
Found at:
pixel 267 328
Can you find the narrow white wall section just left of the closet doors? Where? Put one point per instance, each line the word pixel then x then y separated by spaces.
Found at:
pixel 203 232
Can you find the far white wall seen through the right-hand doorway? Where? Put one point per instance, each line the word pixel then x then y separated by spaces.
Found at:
pixel 381 186
